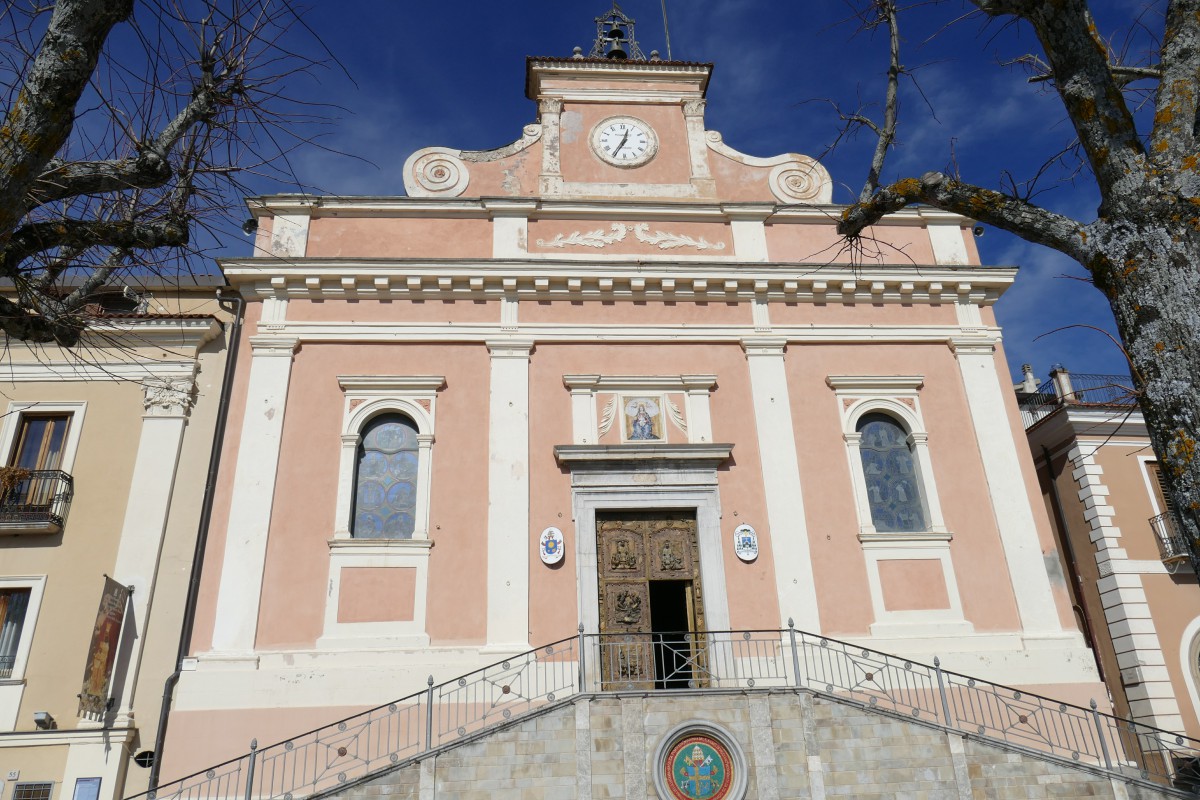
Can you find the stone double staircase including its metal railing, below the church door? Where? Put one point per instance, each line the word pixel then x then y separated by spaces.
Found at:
pixel 805 717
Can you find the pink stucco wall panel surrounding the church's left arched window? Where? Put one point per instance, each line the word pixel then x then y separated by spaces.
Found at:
pixel 293 604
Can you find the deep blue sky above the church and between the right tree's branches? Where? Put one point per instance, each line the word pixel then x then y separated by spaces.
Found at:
pixel 453 75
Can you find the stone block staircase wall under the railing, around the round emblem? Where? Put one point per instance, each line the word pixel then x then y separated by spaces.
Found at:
pixel 797 744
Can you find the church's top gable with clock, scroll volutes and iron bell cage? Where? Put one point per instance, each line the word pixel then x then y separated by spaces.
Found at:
pixel 616 125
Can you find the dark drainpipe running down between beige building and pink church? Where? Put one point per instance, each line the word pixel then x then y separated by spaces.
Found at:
pixel 202 534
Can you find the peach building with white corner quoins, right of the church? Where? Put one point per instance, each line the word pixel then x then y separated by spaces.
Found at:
pixel 1135 587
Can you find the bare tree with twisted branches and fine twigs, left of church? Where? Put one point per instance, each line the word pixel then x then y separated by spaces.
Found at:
pixel 125 165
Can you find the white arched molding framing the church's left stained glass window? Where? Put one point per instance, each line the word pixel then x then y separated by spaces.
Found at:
pixel 368 399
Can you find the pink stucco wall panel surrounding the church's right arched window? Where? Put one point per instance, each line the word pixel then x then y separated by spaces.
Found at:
pixel 838 558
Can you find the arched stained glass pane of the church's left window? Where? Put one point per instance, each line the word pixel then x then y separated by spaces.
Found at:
pixel 386 484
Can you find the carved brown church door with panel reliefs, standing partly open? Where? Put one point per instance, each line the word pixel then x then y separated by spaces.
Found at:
pixel 635 550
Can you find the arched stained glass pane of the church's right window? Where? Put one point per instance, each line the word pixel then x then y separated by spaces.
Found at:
pixel 893 488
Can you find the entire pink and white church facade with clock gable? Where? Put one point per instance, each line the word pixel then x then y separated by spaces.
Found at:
pixel 615 377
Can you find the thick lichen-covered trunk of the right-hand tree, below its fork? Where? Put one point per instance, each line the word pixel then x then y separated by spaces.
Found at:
pixel 1147 260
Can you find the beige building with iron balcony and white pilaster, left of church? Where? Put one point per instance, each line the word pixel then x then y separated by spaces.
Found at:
pixel 105 456
